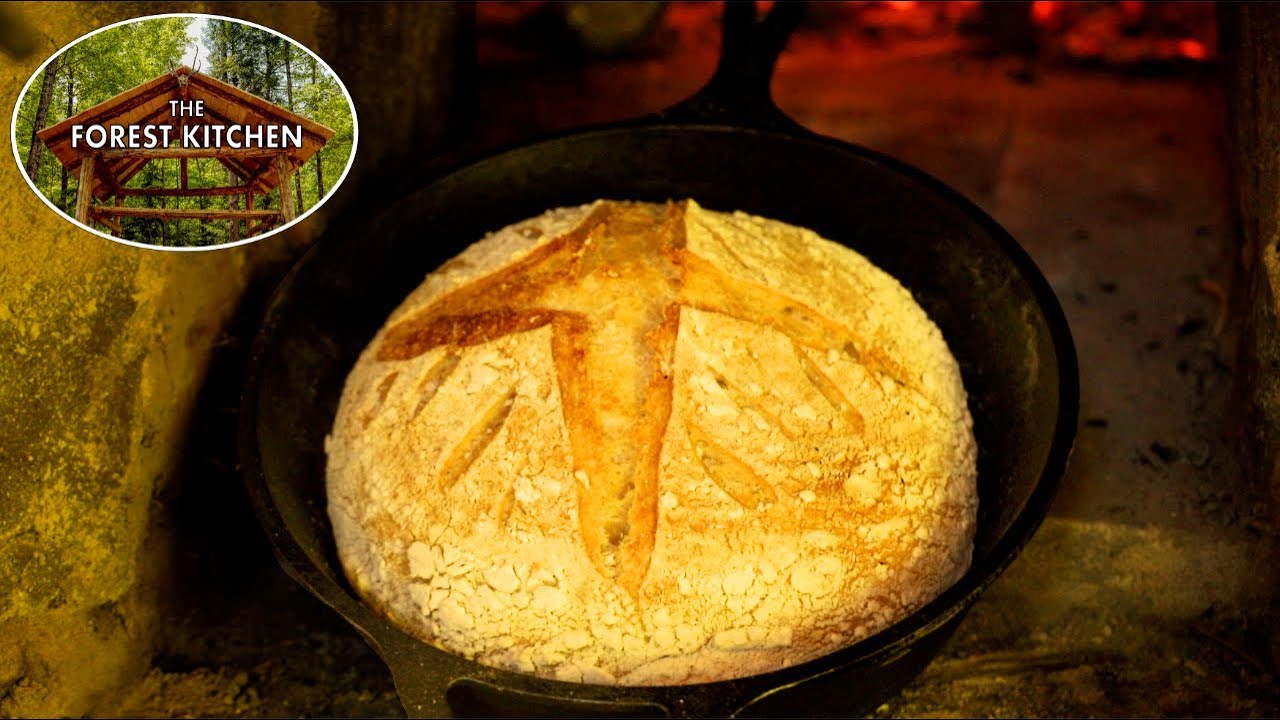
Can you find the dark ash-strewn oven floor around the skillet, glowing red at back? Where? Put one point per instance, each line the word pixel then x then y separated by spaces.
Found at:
pixel 1148 590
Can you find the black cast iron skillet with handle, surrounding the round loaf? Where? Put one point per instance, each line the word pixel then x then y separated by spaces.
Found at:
pixel 732 149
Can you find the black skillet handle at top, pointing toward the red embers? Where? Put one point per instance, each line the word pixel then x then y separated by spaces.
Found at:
pixel 739 92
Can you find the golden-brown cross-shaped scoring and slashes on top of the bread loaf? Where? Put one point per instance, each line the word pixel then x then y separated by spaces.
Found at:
pixel 612 290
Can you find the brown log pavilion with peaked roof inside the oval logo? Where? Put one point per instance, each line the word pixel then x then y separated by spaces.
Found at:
pixel 104 174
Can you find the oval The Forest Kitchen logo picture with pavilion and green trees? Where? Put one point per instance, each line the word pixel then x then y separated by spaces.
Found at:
pixel 205 193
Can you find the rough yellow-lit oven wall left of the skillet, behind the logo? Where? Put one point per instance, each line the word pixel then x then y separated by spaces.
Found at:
pixel 104 349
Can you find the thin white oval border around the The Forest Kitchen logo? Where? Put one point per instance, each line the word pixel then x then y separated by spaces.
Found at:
pixel 351 161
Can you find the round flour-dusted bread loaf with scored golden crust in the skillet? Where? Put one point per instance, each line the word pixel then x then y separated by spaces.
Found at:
pixel 652 444
